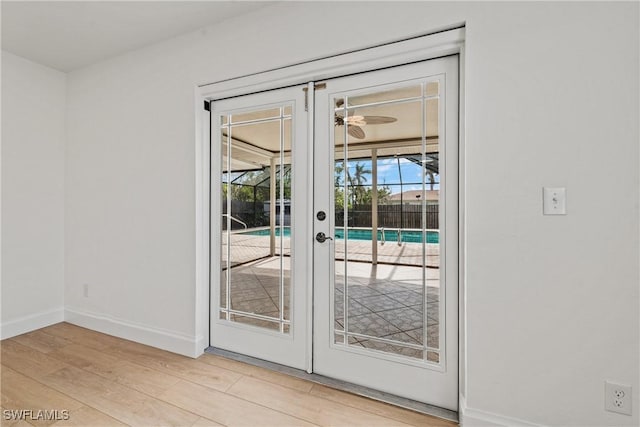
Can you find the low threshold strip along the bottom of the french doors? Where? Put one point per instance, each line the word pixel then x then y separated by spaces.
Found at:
pixel 370 393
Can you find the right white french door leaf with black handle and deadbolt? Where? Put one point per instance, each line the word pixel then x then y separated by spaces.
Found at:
pixel 385 256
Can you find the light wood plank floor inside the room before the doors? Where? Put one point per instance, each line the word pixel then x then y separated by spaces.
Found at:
pixel 106 381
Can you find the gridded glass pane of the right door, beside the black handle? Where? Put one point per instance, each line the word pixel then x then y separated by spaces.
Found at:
pixel 387 208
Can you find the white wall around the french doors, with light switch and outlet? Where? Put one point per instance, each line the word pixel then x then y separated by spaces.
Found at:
pixel 551 100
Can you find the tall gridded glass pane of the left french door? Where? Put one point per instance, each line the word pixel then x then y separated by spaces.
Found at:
pixel 256 224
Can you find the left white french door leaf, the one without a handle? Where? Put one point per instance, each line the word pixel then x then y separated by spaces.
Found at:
pixel 259 214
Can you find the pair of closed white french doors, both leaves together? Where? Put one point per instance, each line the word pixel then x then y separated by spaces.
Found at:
pixel 349 271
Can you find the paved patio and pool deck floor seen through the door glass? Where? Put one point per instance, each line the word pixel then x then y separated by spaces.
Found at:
pixel 385 301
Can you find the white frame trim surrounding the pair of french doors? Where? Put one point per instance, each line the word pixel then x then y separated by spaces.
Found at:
pixel 387 55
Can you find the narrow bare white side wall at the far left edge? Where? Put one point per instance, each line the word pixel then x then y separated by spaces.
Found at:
pixel 33 134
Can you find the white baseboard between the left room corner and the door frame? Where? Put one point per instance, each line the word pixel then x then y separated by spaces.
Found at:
pixel 167 340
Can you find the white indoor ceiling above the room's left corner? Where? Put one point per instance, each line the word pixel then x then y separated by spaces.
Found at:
pixel 67 35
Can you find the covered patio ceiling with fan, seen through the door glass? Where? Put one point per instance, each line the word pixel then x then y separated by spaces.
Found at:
pixel 256 133
